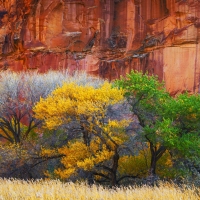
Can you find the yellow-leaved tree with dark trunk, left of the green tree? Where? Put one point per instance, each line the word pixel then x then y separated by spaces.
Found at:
pixel 96 147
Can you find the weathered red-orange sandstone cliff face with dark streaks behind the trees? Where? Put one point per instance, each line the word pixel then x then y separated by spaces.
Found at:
pixel 104 37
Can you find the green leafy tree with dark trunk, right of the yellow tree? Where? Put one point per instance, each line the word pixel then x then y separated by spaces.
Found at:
pixel 167 122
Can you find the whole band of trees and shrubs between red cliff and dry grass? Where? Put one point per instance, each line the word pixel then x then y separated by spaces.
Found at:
pixel 80 128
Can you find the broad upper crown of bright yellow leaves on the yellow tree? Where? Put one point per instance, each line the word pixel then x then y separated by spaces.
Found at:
pixel 74 100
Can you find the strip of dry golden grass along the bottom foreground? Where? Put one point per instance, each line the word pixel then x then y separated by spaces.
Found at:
pixel 19 190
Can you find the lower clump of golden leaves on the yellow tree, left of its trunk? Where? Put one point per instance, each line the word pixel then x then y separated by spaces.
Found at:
pixel 78 155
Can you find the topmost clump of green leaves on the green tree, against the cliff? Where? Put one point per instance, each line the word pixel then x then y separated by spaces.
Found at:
pixel 143 90
